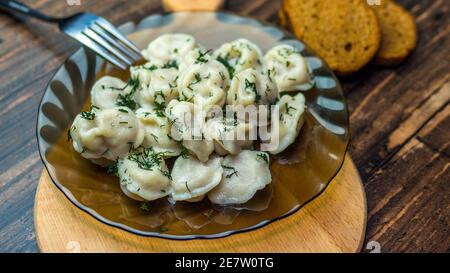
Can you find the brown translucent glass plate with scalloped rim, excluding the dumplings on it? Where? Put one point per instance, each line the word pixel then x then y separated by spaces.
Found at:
pixel 299 175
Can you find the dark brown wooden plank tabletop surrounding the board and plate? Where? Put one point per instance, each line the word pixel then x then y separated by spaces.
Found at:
pixel 400 122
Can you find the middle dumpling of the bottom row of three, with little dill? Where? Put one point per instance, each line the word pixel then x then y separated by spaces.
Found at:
pixel 192 179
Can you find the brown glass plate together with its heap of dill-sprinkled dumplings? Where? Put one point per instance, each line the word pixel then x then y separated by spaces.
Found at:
pixel 225 125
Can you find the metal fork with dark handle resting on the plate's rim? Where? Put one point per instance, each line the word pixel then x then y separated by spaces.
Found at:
pixel 90 30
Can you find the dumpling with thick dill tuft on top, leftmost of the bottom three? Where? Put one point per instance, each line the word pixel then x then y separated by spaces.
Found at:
pixel 144 175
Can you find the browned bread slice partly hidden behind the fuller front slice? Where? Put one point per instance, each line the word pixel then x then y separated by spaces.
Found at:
pixel 399 33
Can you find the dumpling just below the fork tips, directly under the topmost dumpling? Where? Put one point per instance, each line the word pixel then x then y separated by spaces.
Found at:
pixel 158 88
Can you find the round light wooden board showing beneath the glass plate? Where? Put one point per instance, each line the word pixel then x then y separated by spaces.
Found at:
pixel 334 222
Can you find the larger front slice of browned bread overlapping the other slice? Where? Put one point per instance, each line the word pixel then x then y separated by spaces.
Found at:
pixel 345 33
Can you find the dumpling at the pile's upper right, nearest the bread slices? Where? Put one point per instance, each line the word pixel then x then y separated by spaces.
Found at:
pixel 290 70
